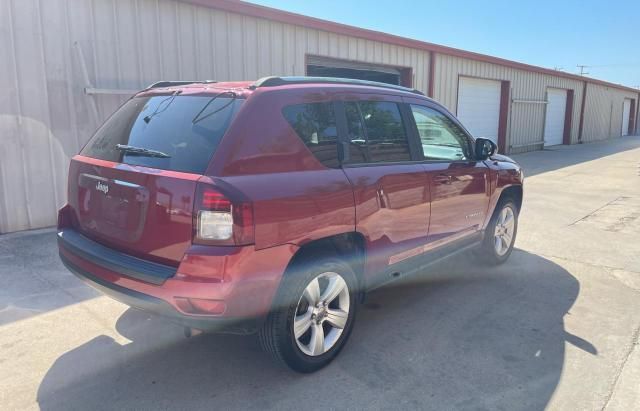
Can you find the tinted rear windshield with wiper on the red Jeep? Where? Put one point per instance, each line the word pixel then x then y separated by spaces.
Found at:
pixel 187 129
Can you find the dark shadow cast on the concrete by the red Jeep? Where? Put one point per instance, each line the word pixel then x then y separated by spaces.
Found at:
pixel 458 337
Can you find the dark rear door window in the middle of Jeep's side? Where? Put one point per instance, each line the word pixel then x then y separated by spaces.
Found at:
pixel 376 132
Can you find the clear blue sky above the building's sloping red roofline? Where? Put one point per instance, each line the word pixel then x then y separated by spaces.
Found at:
pixel 602 34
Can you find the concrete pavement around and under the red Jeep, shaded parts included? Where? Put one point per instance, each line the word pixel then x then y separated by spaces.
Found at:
pixel 557 326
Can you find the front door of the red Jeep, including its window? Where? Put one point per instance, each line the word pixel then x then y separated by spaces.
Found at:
pixel 459 184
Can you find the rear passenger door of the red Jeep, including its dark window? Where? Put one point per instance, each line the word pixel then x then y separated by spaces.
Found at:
pixel 390 186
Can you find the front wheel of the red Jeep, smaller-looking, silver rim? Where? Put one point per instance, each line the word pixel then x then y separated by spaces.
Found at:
pixel 500 234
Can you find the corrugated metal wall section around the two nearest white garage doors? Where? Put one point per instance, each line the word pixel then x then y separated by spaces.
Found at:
pixel 526 120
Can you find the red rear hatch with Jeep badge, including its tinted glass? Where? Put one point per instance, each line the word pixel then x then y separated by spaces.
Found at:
pixel 132 187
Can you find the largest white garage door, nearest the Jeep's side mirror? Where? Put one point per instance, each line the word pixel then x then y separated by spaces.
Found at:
pixel 479 106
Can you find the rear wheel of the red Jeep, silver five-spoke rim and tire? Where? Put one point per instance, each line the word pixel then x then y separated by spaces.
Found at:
pixel 313 315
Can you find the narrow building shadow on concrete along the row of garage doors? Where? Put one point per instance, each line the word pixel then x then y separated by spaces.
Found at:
pixel 557 157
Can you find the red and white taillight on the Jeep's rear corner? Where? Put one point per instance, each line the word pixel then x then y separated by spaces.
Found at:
pixel 222 218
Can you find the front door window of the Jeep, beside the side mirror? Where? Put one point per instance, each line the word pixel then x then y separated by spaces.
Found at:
pixel 441 138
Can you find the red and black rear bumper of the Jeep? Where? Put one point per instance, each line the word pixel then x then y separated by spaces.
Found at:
pixel 245 287
